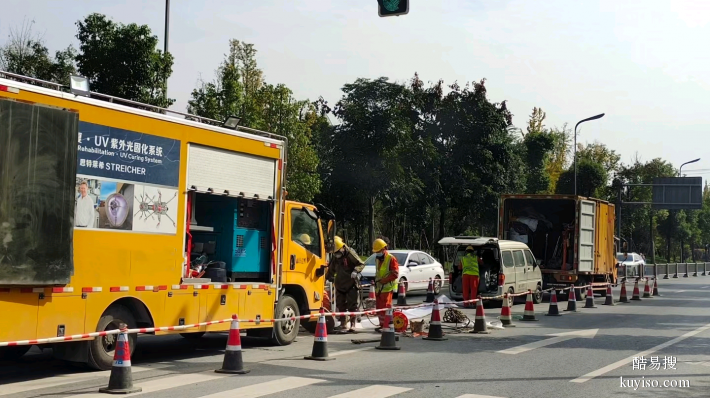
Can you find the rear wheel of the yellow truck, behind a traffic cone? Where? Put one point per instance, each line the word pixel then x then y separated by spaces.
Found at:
pixel 101 349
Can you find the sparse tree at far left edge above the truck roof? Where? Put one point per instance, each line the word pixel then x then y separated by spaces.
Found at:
pixel 25 54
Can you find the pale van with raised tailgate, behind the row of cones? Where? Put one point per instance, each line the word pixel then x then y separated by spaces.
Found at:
pixel 508 266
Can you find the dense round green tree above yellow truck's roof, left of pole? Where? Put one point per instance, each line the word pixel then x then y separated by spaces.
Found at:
pixel 123 61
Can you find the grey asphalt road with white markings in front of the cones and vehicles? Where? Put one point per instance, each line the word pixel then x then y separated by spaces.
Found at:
pixel 593 359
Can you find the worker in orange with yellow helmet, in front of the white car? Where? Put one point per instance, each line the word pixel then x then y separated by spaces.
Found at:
pixel 386 278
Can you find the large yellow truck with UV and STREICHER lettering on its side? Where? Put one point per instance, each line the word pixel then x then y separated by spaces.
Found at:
pixel 116 212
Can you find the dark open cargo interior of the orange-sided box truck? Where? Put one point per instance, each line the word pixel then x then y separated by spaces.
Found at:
pixel 546 226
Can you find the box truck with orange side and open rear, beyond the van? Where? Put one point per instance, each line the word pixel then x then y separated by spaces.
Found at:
pixel 572 236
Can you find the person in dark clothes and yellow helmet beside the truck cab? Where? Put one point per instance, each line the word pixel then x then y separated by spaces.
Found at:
pixel 343 270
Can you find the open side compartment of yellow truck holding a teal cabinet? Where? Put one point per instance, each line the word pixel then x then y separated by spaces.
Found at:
pixel 240 236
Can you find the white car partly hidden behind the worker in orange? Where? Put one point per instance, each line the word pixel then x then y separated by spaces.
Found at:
pixel 415 269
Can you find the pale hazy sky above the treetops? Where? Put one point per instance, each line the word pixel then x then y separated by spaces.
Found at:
pixel 645 64
